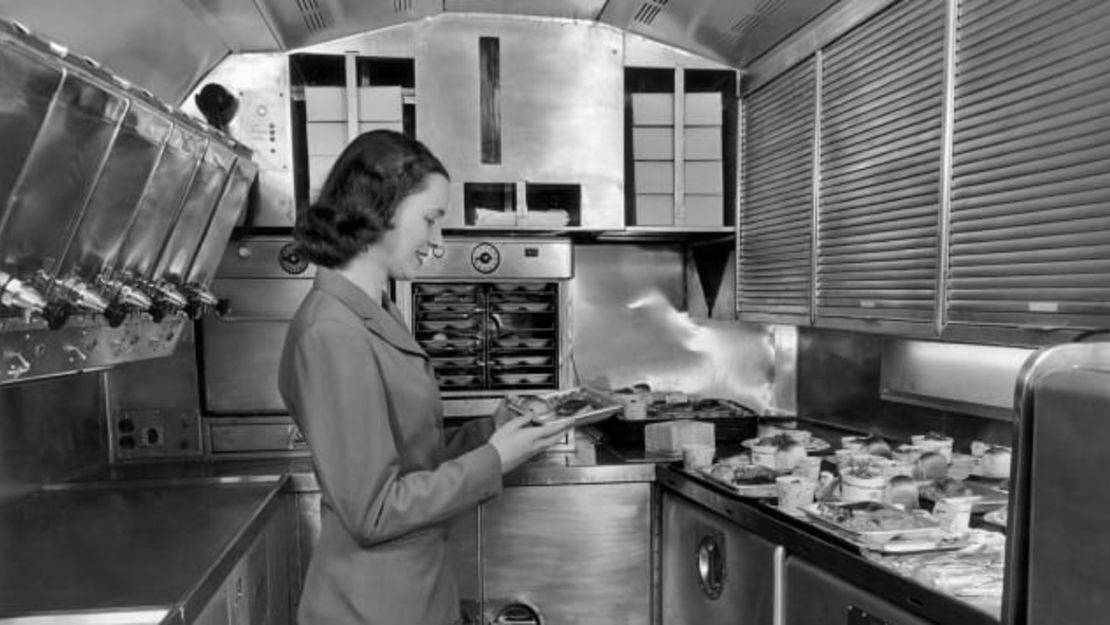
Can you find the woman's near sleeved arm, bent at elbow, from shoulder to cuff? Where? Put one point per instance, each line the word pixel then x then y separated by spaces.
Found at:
pixel 341 402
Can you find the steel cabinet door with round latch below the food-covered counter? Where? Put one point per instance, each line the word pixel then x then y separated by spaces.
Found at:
pixel 712 570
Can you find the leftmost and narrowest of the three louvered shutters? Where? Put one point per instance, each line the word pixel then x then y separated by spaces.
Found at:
pixel 774 246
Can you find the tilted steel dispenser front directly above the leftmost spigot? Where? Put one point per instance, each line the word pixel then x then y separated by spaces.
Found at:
pixel 58 177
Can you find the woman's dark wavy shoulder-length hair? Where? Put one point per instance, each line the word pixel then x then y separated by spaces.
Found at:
pixel 357 205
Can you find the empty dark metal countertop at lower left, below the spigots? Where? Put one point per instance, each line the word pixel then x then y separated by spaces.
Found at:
pixel 107 548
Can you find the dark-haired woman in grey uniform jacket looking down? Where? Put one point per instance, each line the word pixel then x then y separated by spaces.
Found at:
pixel 362 391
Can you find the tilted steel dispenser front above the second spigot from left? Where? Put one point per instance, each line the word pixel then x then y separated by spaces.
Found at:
pixel 116 198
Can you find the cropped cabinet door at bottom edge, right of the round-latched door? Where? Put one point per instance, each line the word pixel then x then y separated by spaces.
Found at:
pixel 818 598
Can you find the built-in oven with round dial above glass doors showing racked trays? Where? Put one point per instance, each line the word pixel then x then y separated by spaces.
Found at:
pixel 495 316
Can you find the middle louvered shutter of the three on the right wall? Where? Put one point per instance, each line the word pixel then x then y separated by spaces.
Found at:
pixel 882 129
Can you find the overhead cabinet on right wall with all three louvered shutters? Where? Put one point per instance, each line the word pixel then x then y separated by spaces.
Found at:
pixel 960 180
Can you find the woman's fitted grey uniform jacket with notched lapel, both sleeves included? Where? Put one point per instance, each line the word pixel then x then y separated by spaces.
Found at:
pixel 362 391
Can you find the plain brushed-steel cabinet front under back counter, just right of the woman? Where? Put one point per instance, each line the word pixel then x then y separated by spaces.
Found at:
pixel 574 553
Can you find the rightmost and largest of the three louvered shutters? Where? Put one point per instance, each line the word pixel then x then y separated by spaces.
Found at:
pixel 1031 215
